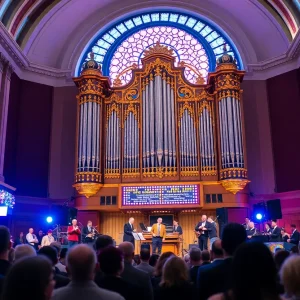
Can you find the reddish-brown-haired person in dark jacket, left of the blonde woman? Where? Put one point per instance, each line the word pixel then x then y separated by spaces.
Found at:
pixel 132 275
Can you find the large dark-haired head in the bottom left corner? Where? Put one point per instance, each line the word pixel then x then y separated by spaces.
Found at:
pixel 29 276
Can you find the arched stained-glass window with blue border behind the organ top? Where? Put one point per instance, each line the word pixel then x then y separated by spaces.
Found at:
pixel 195 42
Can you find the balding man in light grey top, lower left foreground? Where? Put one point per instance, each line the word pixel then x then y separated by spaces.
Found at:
pixel 81 264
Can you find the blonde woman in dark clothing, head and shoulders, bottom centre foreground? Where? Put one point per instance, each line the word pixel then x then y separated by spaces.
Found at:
pixel 175 281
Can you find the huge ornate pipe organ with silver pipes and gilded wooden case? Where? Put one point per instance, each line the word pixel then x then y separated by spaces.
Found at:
pixel 160 127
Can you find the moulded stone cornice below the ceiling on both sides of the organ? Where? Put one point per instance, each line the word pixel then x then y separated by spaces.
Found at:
pixel 57 77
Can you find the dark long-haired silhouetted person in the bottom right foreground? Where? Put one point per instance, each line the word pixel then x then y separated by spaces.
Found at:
pixel 253 275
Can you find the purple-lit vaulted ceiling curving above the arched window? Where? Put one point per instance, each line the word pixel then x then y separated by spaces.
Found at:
pixel 54 33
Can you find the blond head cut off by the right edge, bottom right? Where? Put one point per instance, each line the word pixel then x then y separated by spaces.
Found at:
pixel 290 276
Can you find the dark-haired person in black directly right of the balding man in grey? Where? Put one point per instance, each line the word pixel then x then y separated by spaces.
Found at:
pixel 111 264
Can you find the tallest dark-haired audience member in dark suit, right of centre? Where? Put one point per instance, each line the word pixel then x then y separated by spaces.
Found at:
pixel 216 277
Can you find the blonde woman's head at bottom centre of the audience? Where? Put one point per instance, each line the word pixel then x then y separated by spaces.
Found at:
pixel 175 272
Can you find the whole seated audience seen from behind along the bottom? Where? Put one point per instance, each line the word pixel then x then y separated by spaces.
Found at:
pixel 235 268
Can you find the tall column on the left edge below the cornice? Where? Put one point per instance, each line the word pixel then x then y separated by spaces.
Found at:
pixel 5 75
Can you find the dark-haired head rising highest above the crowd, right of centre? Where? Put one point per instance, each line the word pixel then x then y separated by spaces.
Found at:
pixel 233 235
